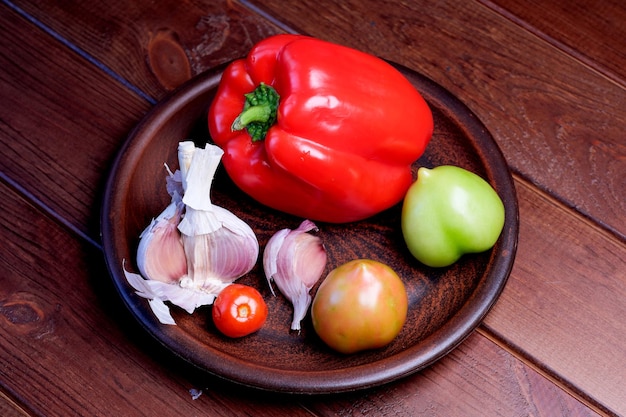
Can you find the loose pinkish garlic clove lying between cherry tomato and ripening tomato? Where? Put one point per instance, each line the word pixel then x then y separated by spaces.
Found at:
pixel 295 261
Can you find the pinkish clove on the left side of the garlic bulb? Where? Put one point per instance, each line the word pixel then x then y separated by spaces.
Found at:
pixel 160 254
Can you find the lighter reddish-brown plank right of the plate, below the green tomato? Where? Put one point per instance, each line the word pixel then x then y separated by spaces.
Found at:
pixel 567 290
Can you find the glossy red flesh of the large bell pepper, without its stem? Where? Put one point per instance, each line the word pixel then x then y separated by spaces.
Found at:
pixel 349 127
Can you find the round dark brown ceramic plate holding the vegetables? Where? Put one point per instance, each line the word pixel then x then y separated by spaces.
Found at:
pixel 445 305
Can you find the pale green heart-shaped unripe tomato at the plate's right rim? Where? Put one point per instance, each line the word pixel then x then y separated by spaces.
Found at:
pixel 448 212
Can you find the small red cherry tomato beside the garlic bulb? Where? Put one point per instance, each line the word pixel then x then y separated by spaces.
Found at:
pixel 239 310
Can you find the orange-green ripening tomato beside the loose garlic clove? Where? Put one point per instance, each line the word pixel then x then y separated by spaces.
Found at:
pixel 360 305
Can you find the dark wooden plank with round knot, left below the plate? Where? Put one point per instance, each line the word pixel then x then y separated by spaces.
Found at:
pixel 71 348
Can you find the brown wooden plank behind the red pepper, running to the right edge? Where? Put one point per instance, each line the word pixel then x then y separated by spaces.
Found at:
pixel 559 123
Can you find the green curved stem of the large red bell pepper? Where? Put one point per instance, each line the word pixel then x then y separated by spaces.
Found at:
pixel 259 112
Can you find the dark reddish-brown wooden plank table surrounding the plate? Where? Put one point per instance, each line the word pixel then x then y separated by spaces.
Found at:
pixel 548 79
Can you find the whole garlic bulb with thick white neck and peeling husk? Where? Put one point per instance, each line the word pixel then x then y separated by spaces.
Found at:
pixel 194 249
